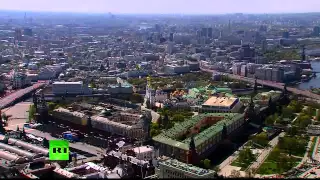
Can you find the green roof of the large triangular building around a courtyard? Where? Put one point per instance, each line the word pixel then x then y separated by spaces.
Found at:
pixel 168 136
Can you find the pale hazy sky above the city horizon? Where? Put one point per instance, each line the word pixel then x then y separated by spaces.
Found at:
pixel 164 6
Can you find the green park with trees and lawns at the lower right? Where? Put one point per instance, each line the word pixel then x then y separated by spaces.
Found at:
pixel 292 147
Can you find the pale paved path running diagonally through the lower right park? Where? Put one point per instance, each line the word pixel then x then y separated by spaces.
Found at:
pixel 264 154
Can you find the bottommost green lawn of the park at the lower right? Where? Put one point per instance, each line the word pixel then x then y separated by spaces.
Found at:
pixel 270 167
